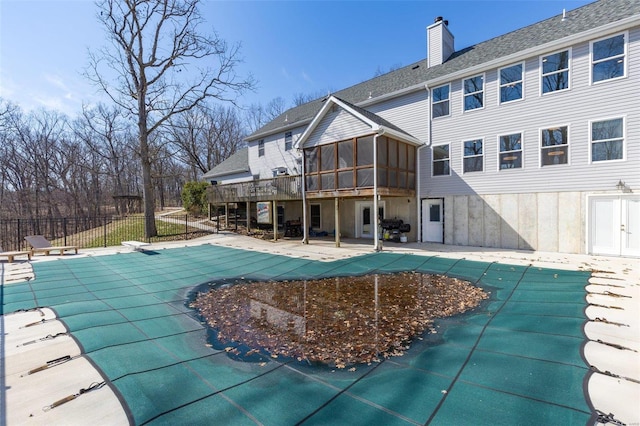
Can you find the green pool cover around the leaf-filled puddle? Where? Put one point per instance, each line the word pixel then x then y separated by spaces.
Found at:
pixel 515 360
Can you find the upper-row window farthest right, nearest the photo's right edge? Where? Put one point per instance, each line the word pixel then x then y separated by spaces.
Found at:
pixel 607 58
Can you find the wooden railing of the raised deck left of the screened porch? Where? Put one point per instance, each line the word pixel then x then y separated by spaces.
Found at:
pixel 272 189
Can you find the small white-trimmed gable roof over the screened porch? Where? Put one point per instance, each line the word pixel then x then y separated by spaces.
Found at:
pixel 377 123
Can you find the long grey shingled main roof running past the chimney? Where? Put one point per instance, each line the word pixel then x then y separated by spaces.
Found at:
pixel 601 15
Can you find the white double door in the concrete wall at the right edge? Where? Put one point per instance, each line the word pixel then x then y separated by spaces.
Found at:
pixel 614 225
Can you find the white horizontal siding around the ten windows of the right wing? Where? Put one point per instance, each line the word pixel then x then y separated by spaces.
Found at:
pixel 574 108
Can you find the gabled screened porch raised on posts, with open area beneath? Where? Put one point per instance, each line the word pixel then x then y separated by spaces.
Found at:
pixel 359 176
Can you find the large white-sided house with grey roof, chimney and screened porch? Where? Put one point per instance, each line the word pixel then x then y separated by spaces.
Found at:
pixel 530 140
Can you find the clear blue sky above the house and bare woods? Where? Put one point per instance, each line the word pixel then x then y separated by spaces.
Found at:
pixel 290 47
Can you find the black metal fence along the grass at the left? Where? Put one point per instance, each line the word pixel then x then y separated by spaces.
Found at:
pixel 101 231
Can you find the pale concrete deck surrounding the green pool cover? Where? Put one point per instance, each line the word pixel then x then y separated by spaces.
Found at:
pixel 612 348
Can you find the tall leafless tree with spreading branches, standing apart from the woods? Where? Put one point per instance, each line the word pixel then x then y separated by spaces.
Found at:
pixel 159 65
